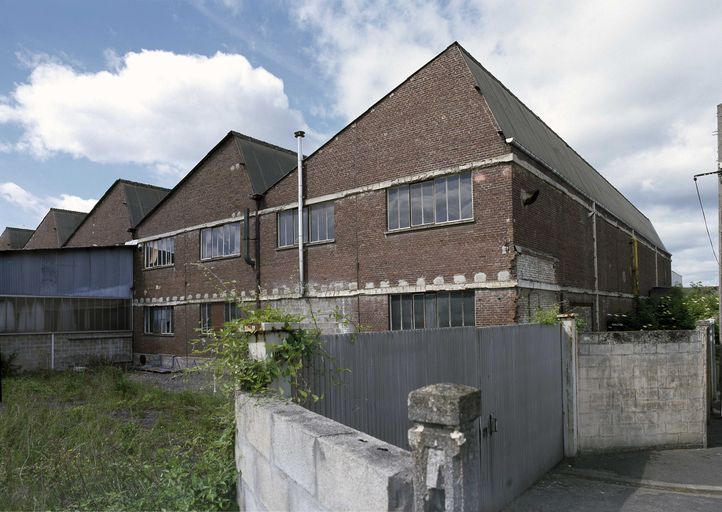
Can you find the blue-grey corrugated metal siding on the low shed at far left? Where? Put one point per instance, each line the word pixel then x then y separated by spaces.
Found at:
pixel 106 272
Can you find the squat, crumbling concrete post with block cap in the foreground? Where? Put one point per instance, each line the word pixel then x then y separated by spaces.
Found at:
pixel 445 447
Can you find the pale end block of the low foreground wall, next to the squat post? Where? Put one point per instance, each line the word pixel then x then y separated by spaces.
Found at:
pixel 358 472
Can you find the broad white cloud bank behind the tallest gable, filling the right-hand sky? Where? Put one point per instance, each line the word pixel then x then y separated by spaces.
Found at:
pixel 627 84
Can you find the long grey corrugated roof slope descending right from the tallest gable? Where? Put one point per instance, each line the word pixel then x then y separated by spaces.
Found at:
pixel 516 120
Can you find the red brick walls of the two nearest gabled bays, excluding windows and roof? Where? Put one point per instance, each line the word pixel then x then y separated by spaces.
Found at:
pixel 516 257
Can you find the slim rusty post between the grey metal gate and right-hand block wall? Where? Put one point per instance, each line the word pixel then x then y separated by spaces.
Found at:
pixel 569 383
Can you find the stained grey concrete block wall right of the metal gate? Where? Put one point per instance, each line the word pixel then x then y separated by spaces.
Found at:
pixel 641 389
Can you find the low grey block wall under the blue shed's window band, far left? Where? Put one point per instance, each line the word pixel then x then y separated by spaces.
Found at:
pixel 36 351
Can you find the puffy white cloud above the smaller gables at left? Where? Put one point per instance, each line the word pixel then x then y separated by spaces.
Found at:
pixel 153 108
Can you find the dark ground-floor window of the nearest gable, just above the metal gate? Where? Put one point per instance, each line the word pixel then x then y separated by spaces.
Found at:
pixel 430 310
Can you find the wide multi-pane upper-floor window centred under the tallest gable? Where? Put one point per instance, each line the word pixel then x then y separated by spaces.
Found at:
pixel 445 199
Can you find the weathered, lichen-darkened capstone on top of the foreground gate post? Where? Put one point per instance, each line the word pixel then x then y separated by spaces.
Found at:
pixel 444 404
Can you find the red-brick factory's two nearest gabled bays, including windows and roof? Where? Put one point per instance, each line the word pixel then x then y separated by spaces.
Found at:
pixel 448 202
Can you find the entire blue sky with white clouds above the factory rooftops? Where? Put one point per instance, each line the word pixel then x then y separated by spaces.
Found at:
pixel 94 91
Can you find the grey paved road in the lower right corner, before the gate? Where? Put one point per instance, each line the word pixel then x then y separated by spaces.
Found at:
pixel 654 480
